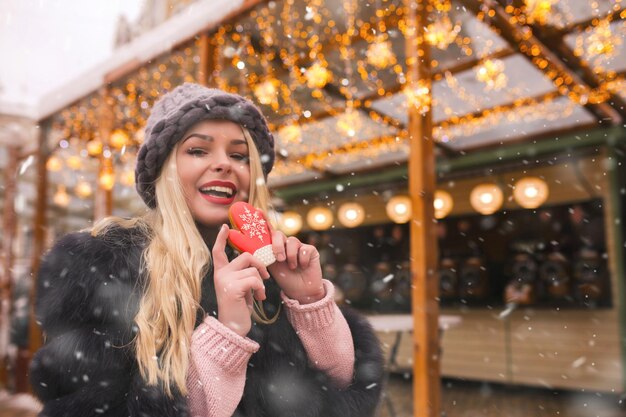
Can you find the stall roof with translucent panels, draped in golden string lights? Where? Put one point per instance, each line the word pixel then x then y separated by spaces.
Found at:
pixel 330 76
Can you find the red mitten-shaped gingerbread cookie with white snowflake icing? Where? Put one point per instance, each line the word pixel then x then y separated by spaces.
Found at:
pixel 252 232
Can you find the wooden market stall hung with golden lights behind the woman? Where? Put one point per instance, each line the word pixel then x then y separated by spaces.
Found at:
pixel 394 113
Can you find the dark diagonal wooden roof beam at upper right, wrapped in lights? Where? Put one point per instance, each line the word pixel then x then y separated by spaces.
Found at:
pixel 530 46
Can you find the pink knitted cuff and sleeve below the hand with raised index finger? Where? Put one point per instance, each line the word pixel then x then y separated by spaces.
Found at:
pixel 217 369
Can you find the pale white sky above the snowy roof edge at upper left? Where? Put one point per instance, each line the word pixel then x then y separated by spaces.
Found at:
pixel 46 43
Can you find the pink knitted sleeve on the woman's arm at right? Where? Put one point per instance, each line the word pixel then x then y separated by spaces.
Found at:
pixel 325 335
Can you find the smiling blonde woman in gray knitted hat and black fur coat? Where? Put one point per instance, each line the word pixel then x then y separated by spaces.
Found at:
pixel 152 316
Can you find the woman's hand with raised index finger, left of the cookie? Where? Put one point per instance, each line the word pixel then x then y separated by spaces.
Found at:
pixel 234 282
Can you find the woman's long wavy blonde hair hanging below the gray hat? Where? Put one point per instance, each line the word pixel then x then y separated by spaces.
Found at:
pixel 175 261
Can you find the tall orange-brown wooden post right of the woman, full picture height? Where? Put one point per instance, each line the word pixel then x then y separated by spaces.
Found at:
pixel 422 180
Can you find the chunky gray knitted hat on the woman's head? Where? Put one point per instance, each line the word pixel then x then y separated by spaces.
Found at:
pixel 177 111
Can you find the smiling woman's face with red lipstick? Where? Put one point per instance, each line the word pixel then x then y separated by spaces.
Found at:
pixel 212 161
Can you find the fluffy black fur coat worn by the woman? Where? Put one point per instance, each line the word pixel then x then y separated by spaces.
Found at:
pixel 88 292
